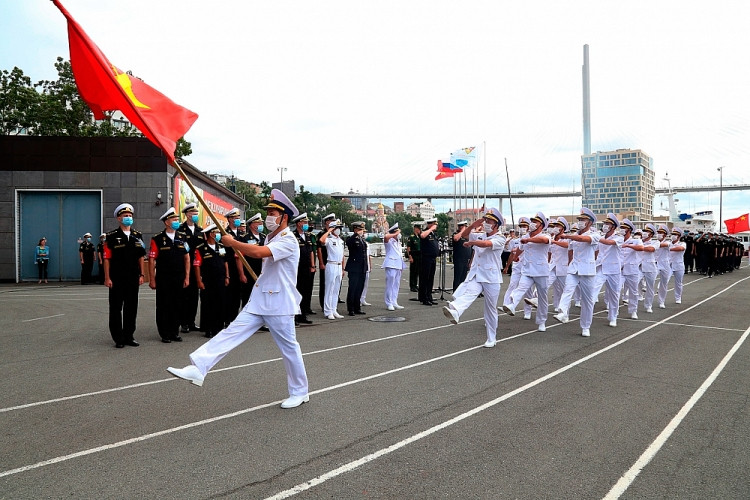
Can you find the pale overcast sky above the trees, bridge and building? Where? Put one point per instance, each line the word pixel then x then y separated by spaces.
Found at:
pixel 368 95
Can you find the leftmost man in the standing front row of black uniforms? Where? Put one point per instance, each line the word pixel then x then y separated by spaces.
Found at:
pixel 124 267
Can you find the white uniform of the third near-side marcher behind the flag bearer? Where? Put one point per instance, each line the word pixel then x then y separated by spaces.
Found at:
pixel 582 274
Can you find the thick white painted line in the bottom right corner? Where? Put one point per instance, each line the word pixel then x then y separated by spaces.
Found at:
pixel 627 479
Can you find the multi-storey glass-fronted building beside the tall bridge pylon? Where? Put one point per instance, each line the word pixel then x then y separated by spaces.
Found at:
pixel 620 181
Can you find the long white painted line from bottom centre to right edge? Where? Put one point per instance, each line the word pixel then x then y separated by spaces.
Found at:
pixel 385 451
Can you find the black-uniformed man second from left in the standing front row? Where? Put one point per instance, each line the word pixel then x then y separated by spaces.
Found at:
pixel 169 272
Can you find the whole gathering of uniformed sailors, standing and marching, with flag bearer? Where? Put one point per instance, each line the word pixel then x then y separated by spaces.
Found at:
pixel 248 279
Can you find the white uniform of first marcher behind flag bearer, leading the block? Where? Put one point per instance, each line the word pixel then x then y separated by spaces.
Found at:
pixel 485 276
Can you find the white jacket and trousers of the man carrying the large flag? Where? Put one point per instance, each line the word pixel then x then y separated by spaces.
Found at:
pixel 274 301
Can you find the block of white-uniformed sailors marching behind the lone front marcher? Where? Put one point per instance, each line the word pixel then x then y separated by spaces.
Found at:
pixel 577 262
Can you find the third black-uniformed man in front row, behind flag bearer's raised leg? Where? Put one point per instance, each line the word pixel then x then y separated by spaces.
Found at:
pixel 211 272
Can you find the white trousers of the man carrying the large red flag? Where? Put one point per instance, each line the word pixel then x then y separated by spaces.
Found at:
pixel 241 329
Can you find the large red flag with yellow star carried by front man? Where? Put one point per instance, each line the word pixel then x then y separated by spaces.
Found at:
pixel 105 88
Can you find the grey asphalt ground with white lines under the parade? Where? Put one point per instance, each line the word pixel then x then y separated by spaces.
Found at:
pixel 654 408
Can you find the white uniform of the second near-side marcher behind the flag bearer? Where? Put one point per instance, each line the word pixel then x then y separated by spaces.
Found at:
pixel 535 271
